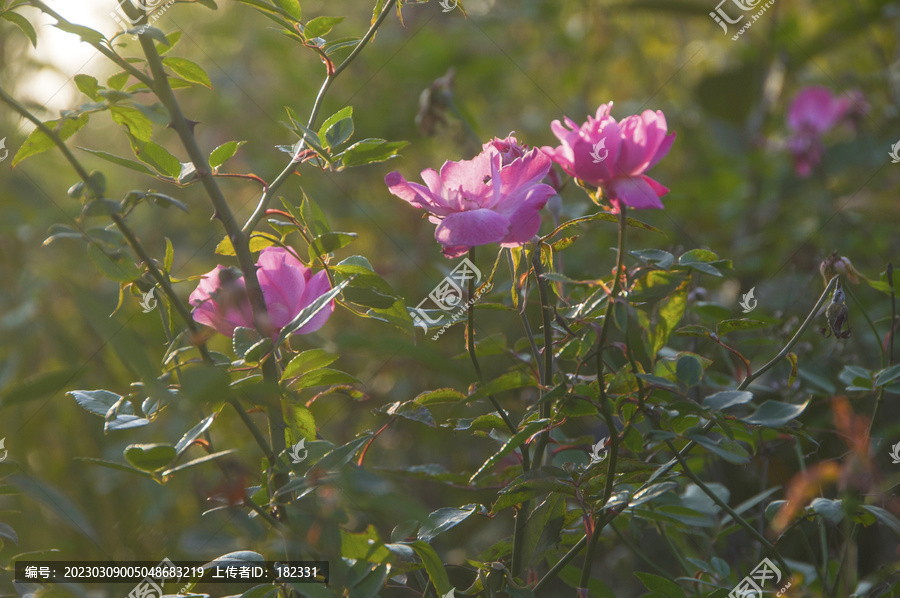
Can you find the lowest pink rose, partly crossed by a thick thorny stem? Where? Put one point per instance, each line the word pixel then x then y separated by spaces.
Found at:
pixel 220 300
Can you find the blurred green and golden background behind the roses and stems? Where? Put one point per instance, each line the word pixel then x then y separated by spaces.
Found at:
pixel 516 66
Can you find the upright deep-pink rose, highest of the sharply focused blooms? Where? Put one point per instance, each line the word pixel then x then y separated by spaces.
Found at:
pixel 615 155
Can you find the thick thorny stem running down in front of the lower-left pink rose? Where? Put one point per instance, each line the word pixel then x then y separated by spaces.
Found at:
pixel 239 241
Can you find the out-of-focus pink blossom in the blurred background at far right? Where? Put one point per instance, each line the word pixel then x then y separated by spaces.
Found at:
pixel 813 112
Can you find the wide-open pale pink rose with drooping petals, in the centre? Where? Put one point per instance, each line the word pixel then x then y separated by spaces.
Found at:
pixel 493 198
